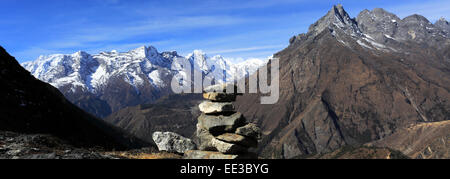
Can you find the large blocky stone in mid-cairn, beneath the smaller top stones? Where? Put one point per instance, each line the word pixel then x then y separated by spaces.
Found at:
pixel 220 124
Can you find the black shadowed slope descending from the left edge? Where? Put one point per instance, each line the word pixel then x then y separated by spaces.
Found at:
pixel 29 106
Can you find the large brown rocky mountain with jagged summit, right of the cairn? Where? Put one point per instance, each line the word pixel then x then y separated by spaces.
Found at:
pixel 349 81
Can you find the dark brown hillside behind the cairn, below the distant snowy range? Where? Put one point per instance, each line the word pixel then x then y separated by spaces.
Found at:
pixel 175 113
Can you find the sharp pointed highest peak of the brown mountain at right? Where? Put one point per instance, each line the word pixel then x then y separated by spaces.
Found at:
pixel 336 18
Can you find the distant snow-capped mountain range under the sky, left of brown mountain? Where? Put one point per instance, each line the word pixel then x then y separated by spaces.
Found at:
pixel 119 79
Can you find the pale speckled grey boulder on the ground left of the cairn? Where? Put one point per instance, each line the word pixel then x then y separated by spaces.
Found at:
pixel 172 142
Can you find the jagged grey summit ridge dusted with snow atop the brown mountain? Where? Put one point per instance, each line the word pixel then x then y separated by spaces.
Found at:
pixel 378 29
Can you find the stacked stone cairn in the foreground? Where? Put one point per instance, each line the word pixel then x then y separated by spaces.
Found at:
pixel 223 133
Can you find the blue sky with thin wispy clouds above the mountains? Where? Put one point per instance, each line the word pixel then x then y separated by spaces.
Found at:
pixel 236 29
